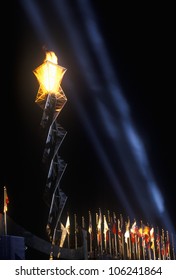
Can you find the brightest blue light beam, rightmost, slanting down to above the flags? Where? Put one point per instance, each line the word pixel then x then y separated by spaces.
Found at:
pixel 134 143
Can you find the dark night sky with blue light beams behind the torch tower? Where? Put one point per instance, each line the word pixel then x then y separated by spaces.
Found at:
pixel 139 43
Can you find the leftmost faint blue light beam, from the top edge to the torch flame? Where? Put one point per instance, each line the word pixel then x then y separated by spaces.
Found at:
pixel 39 24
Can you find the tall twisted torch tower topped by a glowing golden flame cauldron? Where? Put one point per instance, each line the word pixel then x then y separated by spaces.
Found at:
pixel 51 99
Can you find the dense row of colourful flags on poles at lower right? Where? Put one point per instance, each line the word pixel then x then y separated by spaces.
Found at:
pixel 109 235
